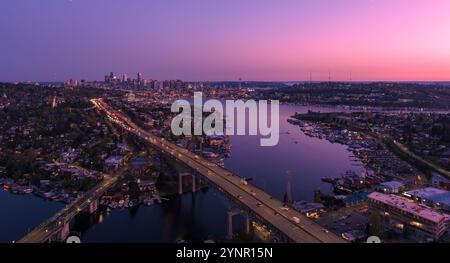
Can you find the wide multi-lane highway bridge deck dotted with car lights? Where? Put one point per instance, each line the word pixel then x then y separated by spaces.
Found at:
pixel 258 201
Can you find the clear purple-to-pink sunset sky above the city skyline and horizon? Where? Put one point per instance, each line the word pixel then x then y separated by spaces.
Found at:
pixel 389 40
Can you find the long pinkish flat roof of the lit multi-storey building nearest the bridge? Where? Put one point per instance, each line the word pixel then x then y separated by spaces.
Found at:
pixel 419 210
